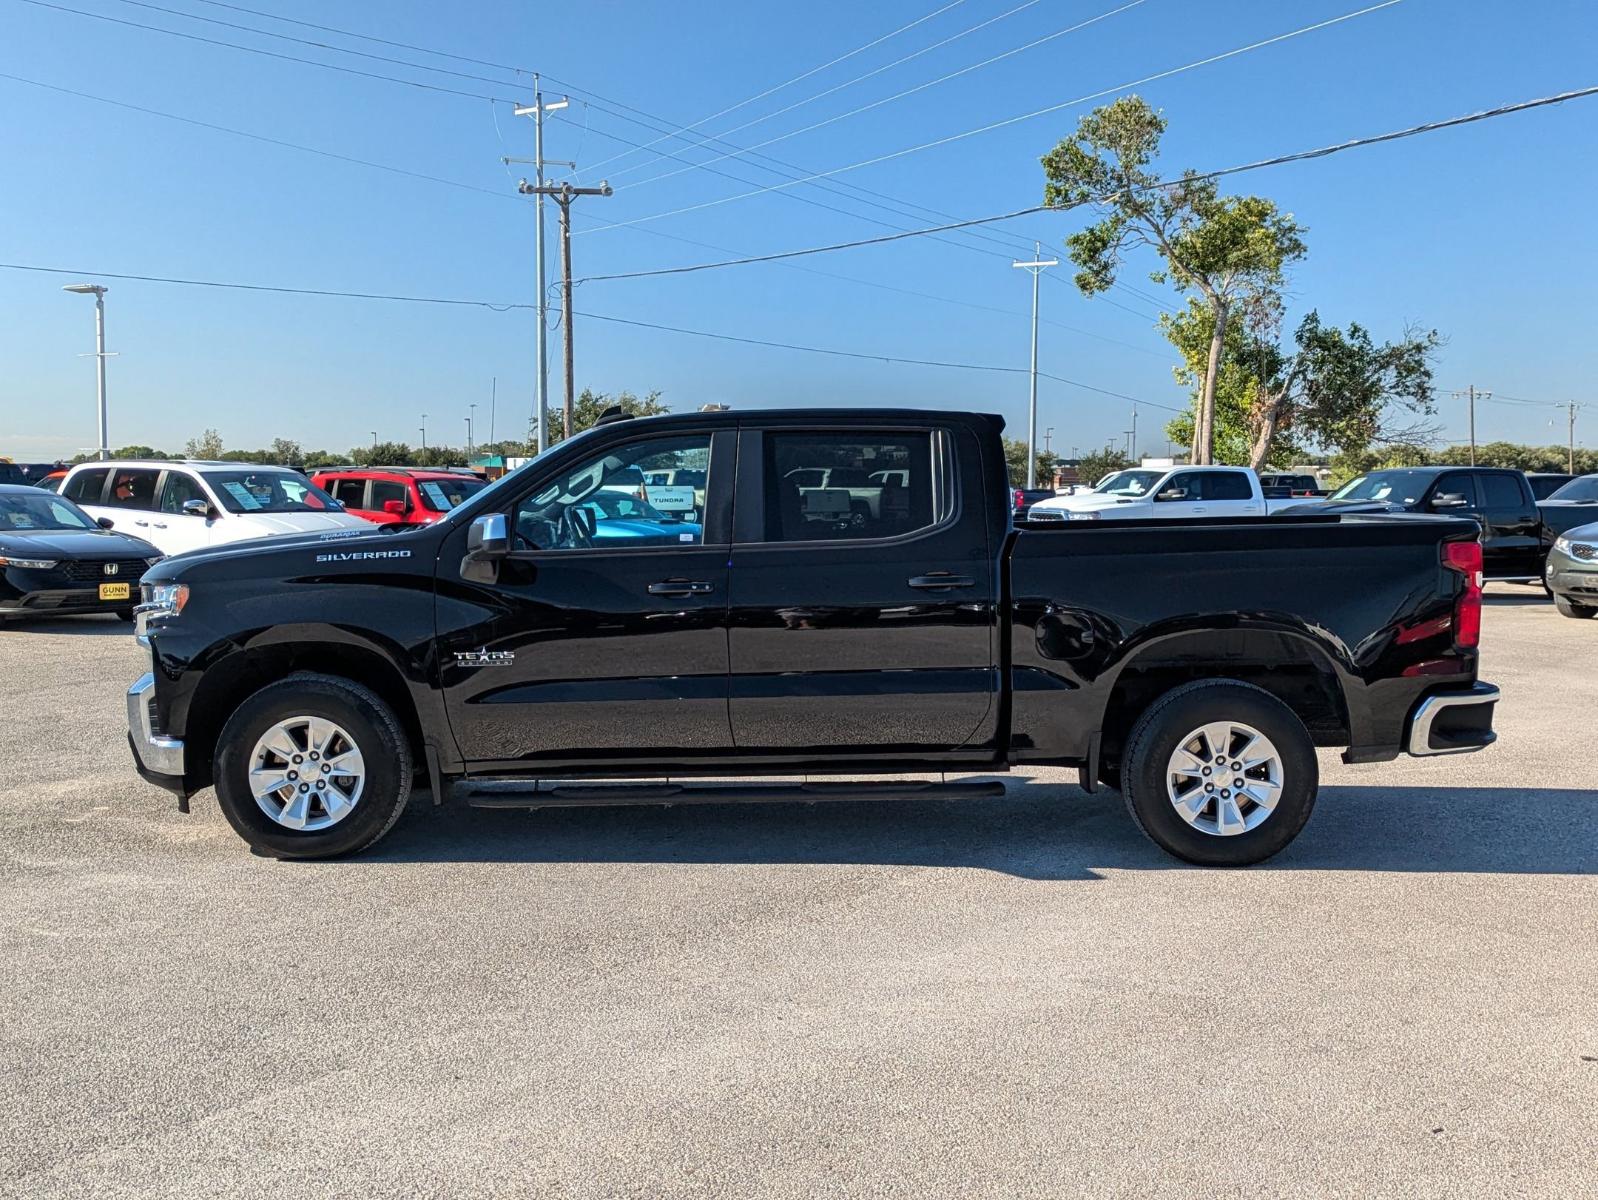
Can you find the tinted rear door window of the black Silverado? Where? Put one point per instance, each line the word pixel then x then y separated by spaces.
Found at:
pixel 848 485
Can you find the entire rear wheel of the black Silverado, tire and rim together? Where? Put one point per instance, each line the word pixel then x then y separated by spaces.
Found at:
pixel 1220 774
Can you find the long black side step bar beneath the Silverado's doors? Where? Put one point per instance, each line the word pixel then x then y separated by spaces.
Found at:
pixel 586 795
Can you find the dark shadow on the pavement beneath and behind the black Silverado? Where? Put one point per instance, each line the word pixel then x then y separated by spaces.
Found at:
pixel 1036 832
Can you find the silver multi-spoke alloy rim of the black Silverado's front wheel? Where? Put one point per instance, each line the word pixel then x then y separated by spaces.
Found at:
pixel 306 774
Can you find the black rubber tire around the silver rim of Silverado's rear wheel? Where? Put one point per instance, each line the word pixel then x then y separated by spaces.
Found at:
pixel 1167 725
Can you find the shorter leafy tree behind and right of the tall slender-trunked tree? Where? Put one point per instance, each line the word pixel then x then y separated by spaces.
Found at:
pixel 1332 387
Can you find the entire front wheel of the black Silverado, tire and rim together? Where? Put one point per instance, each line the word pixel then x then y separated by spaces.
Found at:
pixel 312 766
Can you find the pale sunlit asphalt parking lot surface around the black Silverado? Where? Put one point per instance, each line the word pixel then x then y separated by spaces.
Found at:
pixel 891 999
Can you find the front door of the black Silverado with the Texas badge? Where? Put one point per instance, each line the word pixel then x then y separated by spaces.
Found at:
pixel 603 643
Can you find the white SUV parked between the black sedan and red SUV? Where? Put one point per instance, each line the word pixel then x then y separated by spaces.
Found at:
pixel 189 506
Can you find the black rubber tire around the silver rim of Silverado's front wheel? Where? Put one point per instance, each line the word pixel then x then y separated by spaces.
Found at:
pixel 372 726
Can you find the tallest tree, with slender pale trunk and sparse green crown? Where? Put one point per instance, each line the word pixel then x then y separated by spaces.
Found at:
pixel 1230 250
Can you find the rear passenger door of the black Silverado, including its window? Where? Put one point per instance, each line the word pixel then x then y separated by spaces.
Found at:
pixel 862 622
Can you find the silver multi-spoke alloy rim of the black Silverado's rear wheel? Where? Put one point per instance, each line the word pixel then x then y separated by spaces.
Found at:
pixel 1225 779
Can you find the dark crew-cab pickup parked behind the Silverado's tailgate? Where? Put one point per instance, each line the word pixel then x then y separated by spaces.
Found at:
pixel 1516 530
